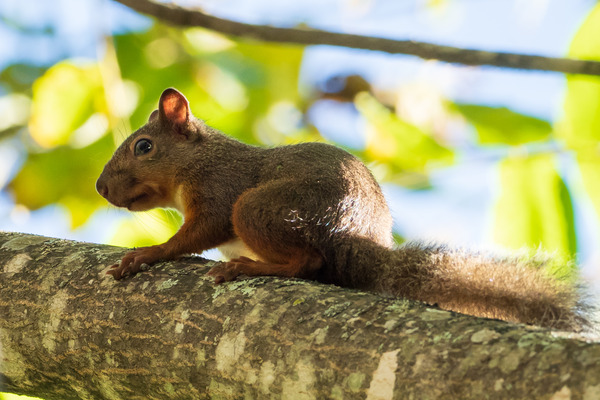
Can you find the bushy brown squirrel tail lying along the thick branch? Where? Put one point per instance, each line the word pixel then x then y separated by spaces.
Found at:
pixel 510 289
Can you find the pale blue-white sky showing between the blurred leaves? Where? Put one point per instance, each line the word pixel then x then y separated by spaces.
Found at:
pixel 460 209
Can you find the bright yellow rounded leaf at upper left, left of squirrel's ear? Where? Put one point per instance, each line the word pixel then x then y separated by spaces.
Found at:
pixel 63 99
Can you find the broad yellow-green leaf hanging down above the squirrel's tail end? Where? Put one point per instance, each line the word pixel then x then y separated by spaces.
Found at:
pixel 534 208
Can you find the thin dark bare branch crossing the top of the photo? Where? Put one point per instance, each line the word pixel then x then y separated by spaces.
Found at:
pixel 185 17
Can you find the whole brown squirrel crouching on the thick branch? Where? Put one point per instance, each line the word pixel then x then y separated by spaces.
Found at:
pixel 312 211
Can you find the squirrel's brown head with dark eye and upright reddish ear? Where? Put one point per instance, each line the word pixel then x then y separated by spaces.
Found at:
pixel 142 172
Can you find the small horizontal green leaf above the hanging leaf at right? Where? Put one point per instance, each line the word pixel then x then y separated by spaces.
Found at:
pixel 504 126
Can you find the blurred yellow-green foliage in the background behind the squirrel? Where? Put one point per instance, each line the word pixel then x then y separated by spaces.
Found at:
pixel 69 117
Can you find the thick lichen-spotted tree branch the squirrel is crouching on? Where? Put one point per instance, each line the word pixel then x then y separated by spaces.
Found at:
pixel 67 331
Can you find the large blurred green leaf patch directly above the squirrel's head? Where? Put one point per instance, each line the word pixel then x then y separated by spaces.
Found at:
pixel 233 87
